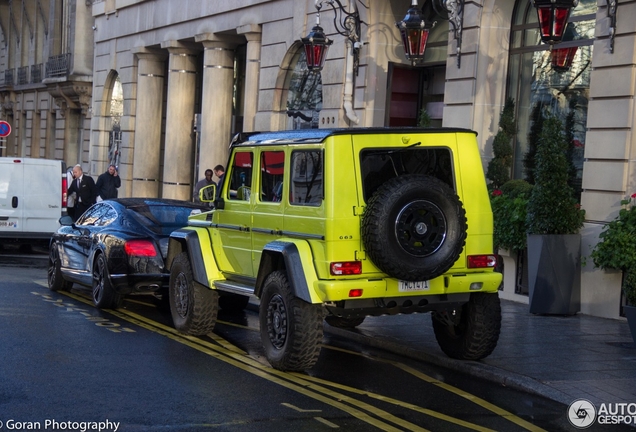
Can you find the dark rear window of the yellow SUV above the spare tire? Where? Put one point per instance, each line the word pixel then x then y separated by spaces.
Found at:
pixel 381 165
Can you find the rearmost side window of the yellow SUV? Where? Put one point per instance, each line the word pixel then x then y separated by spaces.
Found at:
pixel 306 180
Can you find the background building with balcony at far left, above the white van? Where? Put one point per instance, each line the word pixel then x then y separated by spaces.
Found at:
pixel 46 78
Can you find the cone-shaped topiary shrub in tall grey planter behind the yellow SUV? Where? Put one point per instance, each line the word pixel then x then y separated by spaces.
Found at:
pixel 554 218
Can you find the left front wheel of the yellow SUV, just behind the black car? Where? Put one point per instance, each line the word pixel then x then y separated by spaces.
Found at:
pixel 193 307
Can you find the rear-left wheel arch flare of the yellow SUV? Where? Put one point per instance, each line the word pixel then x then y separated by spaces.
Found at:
pixel 296 258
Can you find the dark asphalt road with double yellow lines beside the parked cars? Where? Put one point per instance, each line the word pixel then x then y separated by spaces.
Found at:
pixel 65 361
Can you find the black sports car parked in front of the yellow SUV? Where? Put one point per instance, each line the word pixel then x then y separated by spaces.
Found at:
pixel 117 247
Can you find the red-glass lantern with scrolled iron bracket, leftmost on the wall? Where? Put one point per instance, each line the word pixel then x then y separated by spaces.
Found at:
pixel 345 23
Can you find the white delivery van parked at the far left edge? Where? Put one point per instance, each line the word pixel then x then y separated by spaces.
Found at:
pixel 32 197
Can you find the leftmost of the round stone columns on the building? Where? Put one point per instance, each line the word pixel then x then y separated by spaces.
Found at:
pixel 147 147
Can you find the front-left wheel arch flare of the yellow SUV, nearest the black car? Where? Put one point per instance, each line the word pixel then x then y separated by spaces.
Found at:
pixel 194 241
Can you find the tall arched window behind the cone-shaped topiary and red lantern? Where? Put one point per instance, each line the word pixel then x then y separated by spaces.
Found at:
pixel 541 80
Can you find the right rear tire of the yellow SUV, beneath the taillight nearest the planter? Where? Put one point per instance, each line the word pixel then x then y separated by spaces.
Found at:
pixel 475 328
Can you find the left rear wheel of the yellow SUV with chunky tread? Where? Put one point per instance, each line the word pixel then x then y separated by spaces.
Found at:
pixel 291 329
